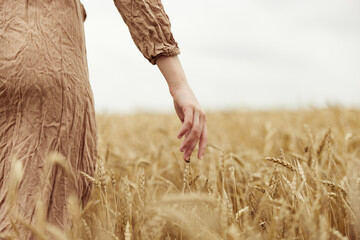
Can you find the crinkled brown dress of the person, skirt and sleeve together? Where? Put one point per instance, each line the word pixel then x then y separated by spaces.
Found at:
pixel 46 102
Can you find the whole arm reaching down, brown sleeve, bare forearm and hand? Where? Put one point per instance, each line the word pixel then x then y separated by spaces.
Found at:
pixel 150 28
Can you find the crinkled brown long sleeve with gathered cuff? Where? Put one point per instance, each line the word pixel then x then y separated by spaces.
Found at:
pixel 149 27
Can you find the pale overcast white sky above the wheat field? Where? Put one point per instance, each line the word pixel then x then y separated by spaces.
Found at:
pixel 236 54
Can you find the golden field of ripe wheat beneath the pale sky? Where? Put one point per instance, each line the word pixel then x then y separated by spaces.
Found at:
pixel 265 175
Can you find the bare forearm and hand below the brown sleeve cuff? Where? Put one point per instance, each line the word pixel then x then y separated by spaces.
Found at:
pixel 186 105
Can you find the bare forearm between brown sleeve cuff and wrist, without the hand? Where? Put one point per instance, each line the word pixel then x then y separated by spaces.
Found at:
pixel 171 69
